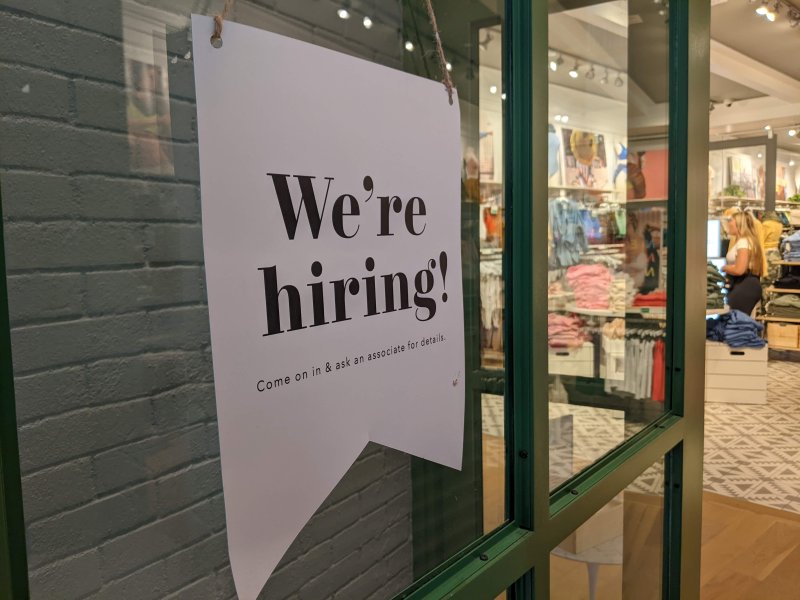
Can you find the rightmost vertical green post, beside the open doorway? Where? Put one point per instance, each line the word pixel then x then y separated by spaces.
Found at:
pixel 689 79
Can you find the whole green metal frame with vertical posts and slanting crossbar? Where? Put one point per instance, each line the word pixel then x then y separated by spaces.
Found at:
pixel 517 556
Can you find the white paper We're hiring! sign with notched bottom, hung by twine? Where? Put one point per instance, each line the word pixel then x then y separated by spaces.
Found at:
pixel 331 230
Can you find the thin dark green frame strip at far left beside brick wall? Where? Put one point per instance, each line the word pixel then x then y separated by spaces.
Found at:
pixel 13 553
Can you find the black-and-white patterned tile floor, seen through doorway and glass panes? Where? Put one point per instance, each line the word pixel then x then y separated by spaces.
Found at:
pixel 752 451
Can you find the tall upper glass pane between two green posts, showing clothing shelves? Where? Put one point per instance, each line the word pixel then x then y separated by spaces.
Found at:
pixel 607 202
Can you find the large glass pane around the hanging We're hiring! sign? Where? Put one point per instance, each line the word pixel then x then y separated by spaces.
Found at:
pixel 114 386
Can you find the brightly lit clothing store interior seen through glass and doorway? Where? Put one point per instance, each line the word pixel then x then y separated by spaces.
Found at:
pixel 608 263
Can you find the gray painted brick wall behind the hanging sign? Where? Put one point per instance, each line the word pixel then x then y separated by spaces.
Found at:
pixel 115 403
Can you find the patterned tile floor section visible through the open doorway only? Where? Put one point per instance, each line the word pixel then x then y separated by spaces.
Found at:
pixel 752 451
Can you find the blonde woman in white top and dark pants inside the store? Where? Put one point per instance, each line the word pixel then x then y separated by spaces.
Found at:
pixel 745 263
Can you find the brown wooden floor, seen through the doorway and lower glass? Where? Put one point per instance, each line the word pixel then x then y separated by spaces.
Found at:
pixel 749 551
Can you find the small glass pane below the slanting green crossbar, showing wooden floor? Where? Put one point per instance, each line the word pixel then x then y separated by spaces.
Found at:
pixel 617 553
